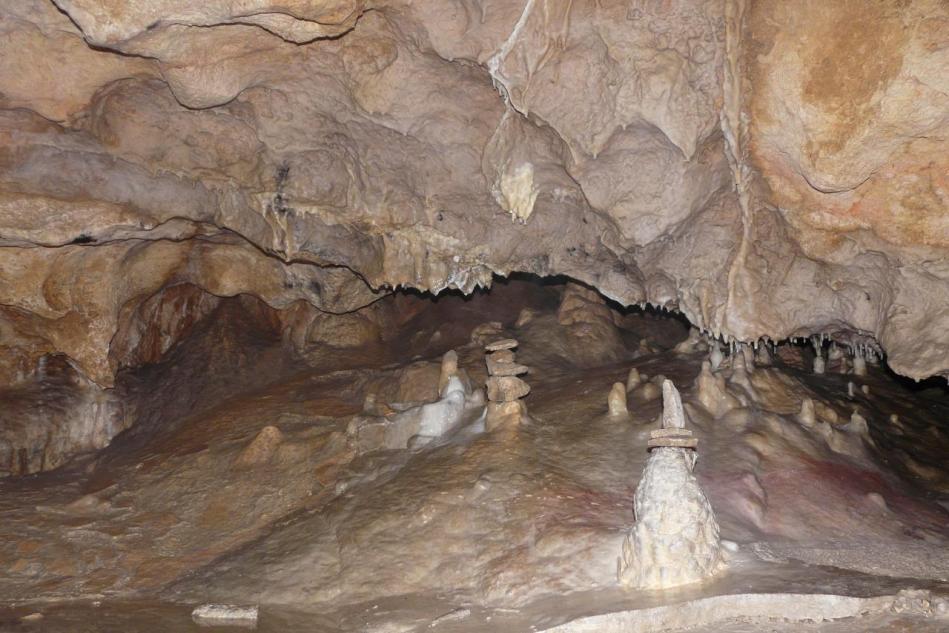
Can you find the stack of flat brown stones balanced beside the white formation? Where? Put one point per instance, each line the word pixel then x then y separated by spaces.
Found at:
pixel 503 385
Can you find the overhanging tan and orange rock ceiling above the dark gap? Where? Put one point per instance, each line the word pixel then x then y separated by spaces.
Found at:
pixel 769 168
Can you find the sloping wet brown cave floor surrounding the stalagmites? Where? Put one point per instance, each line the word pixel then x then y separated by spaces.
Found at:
pixel 520 526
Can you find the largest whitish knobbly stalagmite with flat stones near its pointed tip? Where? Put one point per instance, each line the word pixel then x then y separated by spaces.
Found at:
pixel 675 540
